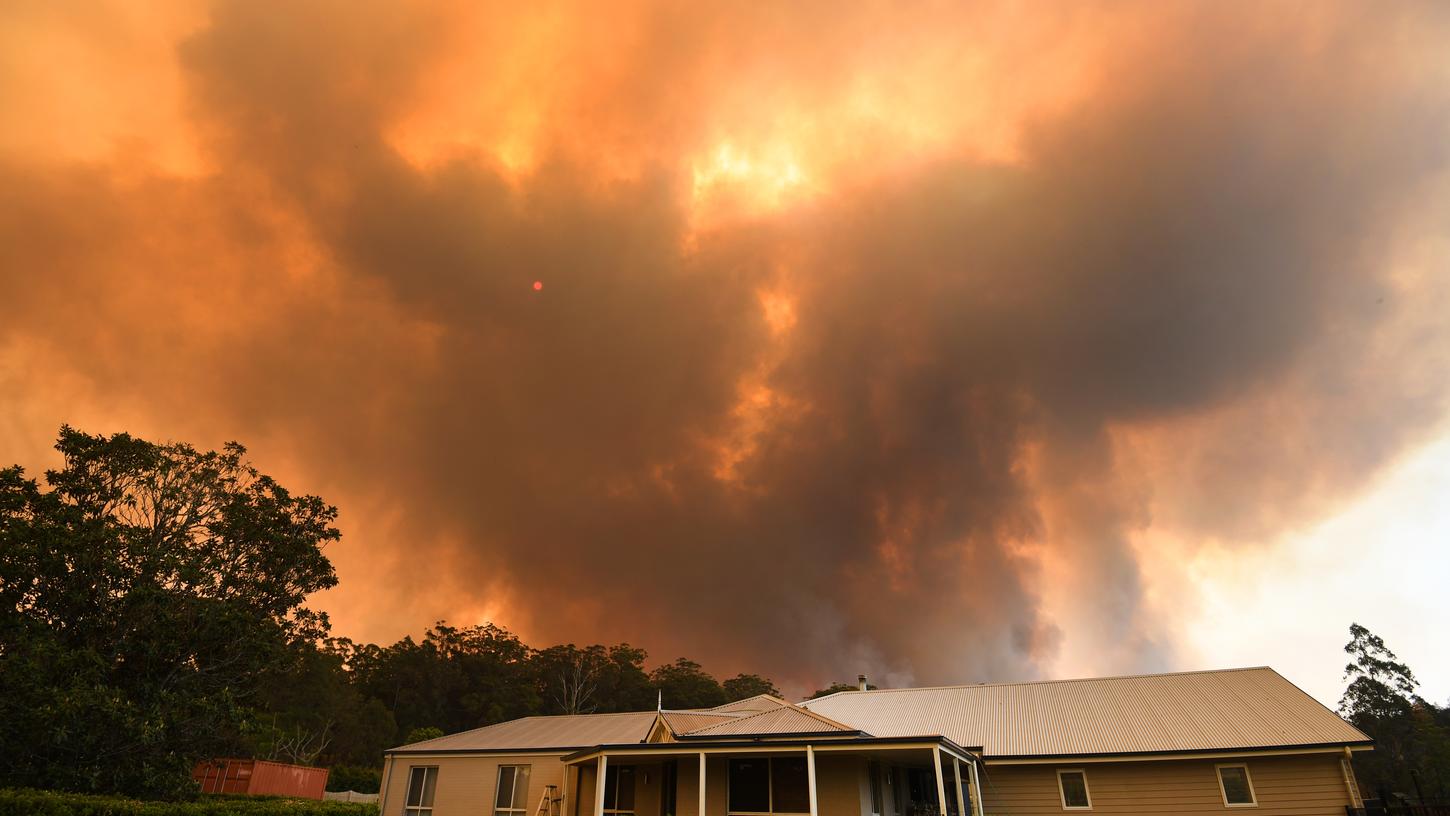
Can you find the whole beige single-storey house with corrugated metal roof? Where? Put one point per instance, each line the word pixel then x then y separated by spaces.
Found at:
pixel 1190 743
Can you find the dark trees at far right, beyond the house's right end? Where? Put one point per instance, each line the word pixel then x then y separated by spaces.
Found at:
pixel 1412 736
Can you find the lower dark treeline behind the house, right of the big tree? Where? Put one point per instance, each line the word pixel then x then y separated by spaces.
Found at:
pixel 344 704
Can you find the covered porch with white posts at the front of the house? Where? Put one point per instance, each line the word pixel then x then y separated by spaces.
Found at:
pixel 798 778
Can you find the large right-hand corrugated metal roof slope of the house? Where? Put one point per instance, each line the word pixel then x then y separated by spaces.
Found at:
pixel 1198 711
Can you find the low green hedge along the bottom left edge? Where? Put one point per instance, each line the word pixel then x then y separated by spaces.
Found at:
pixel 24 802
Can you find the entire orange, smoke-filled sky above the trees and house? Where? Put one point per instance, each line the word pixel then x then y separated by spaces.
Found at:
pixel 945 343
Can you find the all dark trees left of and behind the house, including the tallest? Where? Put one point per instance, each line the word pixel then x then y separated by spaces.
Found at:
pixel 153 615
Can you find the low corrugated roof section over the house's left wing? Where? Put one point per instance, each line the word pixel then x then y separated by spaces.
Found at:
pixel 566 731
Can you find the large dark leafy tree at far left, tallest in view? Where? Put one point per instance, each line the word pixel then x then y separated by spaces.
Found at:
pixel 147 592
